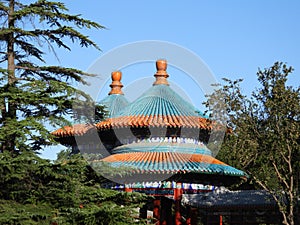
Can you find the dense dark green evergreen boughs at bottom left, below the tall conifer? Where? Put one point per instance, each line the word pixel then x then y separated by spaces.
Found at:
pixel 35 191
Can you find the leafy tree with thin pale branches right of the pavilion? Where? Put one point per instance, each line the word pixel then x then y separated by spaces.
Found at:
pixel 266 134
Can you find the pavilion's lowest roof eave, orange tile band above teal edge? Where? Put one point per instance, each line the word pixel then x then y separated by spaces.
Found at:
pixel 171 163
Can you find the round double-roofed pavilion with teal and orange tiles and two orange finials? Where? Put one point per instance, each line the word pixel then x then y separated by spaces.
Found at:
pixel 156 145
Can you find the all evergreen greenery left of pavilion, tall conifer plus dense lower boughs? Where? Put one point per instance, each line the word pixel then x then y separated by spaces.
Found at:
pixel 34 96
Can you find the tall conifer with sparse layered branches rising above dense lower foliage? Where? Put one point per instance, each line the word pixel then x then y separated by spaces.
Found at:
pixel 33 93
